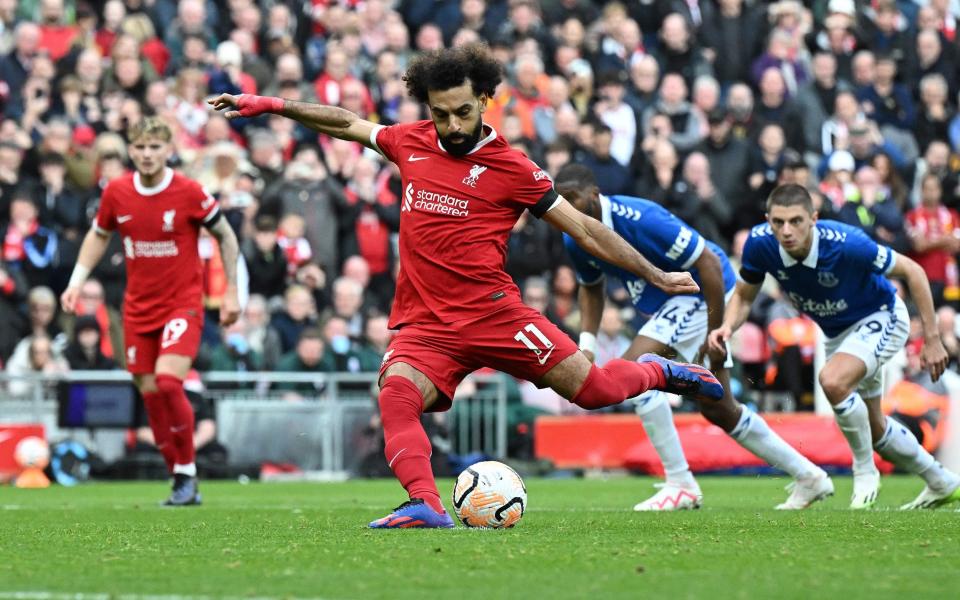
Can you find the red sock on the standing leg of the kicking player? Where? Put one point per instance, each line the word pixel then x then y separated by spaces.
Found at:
pixel 407 447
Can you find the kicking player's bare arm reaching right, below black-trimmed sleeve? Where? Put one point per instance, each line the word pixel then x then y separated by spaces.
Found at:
pixel 602 242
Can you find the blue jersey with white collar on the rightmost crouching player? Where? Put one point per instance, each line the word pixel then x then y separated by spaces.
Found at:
pixel 839 282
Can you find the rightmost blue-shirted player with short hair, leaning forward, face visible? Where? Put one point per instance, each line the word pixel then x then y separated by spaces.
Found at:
pixel 838 276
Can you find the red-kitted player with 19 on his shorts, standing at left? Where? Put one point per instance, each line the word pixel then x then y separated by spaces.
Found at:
pixel 159 213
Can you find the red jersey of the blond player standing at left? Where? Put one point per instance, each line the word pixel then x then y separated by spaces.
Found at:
pixel 160 227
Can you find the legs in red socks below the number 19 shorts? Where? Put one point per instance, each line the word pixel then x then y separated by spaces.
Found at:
pixel 165 389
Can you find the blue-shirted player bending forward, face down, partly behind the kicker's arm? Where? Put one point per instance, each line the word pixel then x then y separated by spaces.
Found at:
pixel 676 326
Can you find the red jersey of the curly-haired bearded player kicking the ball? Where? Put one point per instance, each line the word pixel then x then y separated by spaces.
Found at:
pixel 455 217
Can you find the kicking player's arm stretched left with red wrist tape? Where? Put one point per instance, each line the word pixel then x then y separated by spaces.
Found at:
pixel 331 120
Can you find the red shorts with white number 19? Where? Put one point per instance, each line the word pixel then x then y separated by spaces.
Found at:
pixel 180 335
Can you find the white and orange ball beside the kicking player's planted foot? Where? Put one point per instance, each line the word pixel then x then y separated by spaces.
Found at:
pixel 489 495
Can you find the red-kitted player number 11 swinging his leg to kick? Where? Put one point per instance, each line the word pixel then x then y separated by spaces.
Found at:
pixel 455 307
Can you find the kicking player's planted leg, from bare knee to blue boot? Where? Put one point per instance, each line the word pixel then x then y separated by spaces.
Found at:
pixel 405 393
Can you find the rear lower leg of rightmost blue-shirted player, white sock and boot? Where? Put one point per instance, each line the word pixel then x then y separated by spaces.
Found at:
pixel 897 444
